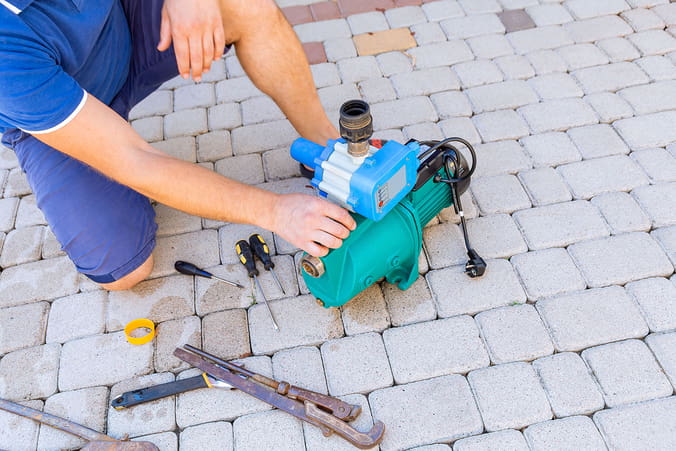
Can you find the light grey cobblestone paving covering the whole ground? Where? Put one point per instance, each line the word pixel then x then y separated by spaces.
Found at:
pixel 568 342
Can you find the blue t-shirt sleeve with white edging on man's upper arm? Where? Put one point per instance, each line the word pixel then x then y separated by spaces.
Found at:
pixel 36 94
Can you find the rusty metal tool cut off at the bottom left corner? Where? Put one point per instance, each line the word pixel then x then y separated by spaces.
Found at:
pixel 97 441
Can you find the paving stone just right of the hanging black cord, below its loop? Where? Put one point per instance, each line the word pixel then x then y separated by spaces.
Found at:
pixel 499 194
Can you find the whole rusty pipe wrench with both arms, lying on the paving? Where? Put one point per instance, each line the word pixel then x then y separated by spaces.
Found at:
pixel 305 407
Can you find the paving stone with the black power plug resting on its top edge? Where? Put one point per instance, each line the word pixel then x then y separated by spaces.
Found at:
pixel 455 293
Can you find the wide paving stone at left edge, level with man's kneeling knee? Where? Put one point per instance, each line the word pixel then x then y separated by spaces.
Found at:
pixel 37 281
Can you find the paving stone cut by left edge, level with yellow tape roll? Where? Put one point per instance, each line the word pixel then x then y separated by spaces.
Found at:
pixel 23 326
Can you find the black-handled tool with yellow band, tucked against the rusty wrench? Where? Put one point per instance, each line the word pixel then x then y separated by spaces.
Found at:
pixel 152 393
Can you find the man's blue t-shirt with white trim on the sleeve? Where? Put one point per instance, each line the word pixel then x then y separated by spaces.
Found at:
pixel 52 53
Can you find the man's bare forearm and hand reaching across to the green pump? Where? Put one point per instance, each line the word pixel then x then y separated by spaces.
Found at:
pixel 102 139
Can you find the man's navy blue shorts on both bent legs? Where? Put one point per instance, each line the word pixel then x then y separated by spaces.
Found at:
pixel 107 229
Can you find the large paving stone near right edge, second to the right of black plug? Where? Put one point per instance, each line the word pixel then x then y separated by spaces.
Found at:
pixel 620 259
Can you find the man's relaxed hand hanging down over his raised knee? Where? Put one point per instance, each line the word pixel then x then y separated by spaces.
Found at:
pixel 196 29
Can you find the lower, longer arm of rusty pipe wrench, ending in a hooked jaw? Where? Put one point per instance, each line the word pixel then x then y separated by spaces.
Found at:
pixel 302 409
